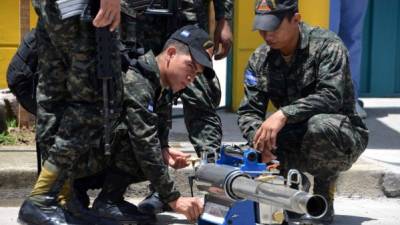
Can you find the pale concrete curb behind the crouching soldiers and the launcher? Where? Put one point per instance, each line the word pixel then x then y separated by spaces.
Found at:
pixel 366 179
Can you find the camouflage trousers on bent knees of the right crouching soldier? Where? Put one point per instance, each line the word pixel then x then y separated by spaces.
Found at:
pixel 324 145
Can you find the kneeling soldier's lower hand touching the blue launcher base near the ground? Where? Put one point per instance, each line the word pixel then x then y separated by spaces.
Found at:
pixel 191 207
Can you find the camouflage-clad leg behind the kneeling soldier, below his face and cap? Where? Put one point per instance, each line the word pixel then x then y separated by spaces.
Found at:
pixel 200 102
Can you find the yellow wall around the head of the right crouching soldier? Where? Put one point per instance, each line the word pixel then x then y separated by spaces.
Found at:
pixel 314 12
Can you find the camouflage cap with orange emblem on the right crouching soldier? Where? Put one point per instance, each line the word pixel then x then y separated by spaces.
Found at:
pixel 270 13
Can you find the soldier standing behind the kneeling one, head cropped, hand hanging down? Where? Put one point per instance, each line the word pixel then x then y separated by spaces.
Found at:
pixel 201 98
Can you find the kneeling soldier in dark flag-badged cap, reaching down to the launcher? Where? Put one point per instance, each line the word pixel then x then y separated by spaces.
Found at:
pixel 136 144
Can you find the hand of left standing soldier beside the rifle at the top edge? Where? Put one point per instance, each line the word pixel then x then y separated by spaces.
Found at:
pixel 109 14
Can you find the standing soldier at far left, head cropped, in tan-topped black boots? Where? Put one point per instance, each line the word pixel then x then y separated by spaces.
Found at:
pixel 68 105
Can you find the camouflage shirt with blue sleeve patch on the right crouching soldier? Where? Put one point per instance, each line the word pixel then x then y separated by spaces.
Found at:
pixel 316 81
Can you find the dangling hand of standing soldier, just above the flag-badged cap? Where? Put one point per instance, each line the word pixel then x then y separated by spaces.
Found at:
pixel 222 39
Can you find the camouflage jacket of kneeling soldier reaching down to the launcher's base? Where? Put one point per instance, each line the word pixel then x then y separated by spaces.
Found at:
pixel 142 95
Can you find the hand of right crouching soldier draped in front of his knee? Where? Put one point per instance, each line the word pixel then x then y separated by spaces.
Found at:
pixel 265 138
